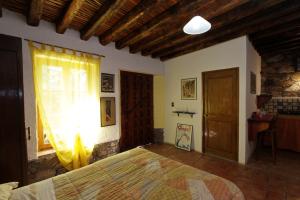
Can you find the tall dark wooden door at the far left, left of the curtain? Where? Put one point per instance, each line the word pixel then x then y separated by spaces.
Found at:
pixel 13 153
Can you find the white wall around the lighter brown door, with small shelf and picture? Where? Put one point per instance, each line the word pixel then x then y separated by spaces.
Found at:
pixel 225 55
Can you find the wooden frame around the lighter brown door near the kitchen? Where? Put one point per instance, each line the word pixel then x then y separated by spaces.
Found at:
pixel 238 111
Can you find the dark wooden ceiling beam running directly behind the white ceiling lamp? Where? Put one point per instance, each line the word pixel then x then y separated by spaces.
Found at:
pixel 234 15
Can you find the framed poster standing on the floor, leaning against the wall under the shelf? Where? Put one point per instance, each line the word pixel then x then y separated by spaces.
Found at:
pixel 184 136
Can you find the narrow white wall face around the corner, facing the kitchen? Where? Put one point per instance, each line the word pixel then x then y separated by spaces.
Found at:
pixel 253 65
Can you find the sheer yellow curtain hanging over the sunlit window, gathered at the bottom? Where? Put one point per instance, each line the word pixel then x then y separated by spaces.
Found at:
pixel 67 95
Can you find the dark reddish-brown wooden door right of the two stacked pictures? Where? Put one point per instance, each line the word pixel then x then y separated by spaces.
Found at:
pixel 136 109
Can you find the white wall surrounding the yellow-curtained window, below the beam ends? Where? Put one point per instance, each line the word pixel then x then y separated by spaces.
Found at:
pixel 15 25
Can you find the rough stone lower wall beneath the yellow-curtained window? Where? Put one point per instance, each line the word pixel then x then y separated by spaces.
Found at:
pixel 48 165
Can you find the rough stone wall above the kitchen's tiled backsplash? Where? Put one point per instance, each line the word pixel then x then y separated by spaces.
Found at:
pixel 279 77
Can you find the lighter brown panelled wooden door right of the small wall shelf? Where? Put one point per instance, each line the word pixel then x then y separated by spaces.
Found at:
pixel 220 114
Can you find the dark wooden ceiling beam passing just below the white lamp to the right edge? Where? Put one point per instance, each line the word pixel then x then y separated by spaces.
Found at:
pixel 243 27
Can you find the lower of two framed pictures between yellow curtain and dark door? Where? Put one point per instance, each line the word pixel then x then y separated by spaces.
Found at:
pixel 108 111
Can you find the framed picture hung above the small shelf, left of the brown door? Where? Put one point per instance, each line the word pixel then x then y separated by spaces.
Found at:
pixel 189 89
